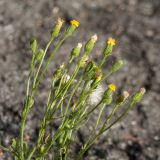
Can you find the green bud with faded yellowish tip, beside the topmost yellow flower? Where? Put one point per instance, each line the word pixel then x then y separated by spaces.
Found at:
pixel 57 28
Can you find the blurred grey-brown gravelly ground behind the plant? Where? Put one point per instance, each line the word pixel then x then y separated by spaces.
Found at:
pixel 135 24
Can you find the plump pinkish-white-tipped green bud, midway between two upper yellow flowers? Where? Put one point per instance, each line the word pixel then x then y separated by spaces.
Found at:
pixel 90 44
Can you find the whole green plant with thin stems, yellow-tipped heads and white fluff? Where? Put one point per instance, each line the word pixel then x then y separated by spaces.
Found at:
pixel 74 94
